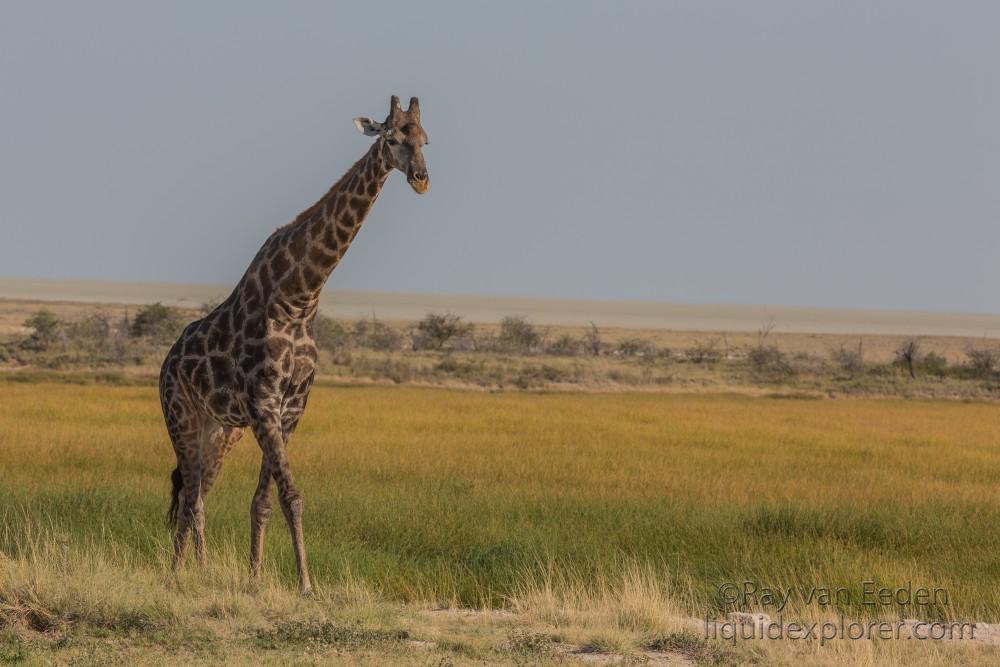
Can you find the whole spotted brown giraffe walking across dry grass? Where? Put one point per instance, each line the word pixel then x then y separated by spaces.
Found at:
pixel 250 363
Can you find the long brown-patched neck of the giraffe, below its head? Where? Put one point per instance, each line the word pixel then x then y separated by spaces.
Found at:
pixel 311 247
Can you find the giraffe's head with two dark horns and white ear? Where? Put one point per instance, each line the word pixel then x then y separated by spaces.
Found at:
pixel 405 139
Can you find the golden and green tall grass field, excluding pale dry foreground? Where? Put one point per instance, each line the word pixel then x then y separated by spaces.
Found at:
pixel 445 497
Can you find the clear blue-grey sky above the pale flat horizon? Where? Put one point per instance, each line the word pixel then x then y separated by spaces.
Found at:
pixel 838 153
